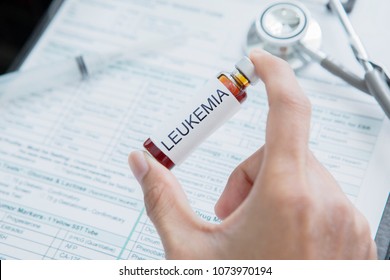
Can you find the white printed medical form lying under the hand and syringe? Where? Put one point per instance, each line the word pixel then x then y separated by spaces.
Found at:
pixel 66 189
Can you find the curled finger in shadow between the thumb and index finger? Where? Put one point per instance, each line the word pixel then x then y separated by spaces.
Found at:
pixel 239 185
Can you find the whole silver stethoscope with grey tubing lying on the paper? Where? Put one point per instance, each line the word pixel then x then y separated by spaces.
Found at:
pixel 287 30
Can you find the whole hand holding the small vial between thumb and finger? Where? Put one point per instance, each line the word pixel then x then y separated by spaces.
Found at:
pixel 280 203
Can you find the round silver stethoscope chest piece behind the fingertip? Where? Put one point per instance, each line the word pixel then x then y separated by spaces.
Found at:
pixel 280 28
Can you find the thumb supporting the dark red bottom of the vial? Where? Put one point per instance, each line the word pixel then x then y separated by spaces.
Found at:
pixel 166 203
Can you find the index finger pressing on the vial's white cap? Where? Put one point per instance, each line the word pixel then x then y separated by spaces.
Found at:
pixel 288 123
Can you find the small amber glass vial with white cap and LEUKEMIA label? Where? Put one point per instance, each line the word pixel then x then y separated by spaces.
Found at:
pixel 216 102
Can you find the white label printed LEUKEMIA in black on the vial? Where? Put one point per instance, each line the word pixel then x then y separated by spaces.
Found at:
pixel 213 105
